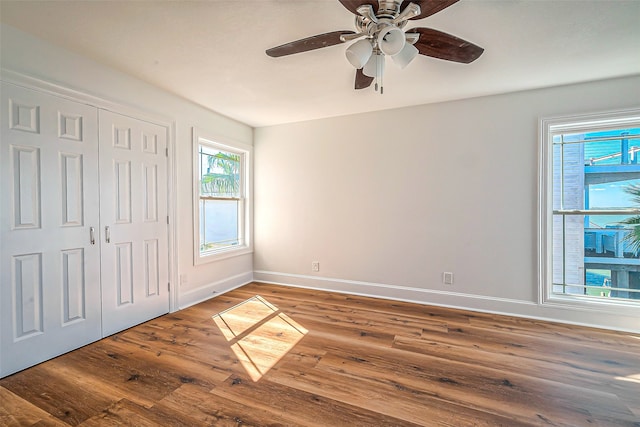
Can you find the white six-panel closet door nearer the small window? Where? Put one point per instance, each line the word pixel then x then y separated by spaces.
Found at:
pixel 133 215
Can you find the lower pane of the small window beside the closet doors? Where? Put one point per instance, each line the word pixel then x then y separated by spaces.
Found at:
pixel 218 224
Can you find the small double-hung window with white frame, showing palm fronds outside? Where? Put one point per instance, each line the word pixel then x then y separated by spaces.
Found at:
pixel 221 208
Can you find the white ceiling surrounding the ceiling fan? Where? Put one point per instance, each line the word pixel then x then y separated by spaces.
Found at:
pixel 212 52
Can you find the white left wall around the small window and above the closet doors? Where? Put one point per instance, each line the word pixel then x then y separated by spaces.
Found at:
pixel 24 54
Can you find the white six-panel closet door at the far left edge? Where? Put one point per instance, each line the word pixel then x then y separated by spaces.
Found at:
pixel 49 267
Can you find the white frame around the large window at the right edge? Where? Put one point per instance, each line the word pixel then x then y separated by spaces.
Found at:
pixel 549 127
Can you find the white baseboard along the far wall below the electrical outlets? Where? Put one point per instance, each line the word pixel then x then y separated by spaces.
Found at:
pixel 485 304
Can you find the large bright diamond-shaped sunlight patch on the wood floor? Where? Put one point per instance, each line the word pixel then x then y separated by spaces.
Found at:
pixel 259 334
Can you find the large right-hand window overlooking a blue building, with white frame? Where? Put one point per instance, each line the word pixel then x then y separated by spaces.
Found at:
pixel 590 210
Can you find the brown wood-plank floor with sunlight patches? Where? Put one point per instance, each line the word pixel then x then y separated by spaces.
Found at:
pixel 300 357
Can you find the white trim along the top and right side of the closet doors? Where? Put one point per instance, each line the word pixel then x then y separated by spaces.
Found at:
pixel 34 83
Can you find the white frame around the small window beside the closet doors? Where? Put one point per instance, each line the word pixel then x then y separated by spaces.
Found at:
pixel 245 217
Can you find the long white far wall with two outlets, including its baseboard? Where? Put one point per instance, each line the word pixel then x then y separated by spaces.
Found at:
pixel 387 201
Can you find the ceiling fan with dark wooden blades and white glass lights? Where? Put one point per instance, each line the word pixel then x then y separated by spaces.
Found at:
pixel 379 34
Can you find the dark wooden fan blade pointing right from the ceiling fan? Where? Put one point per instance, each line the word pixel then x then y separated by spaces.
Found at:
pixel 445 46
